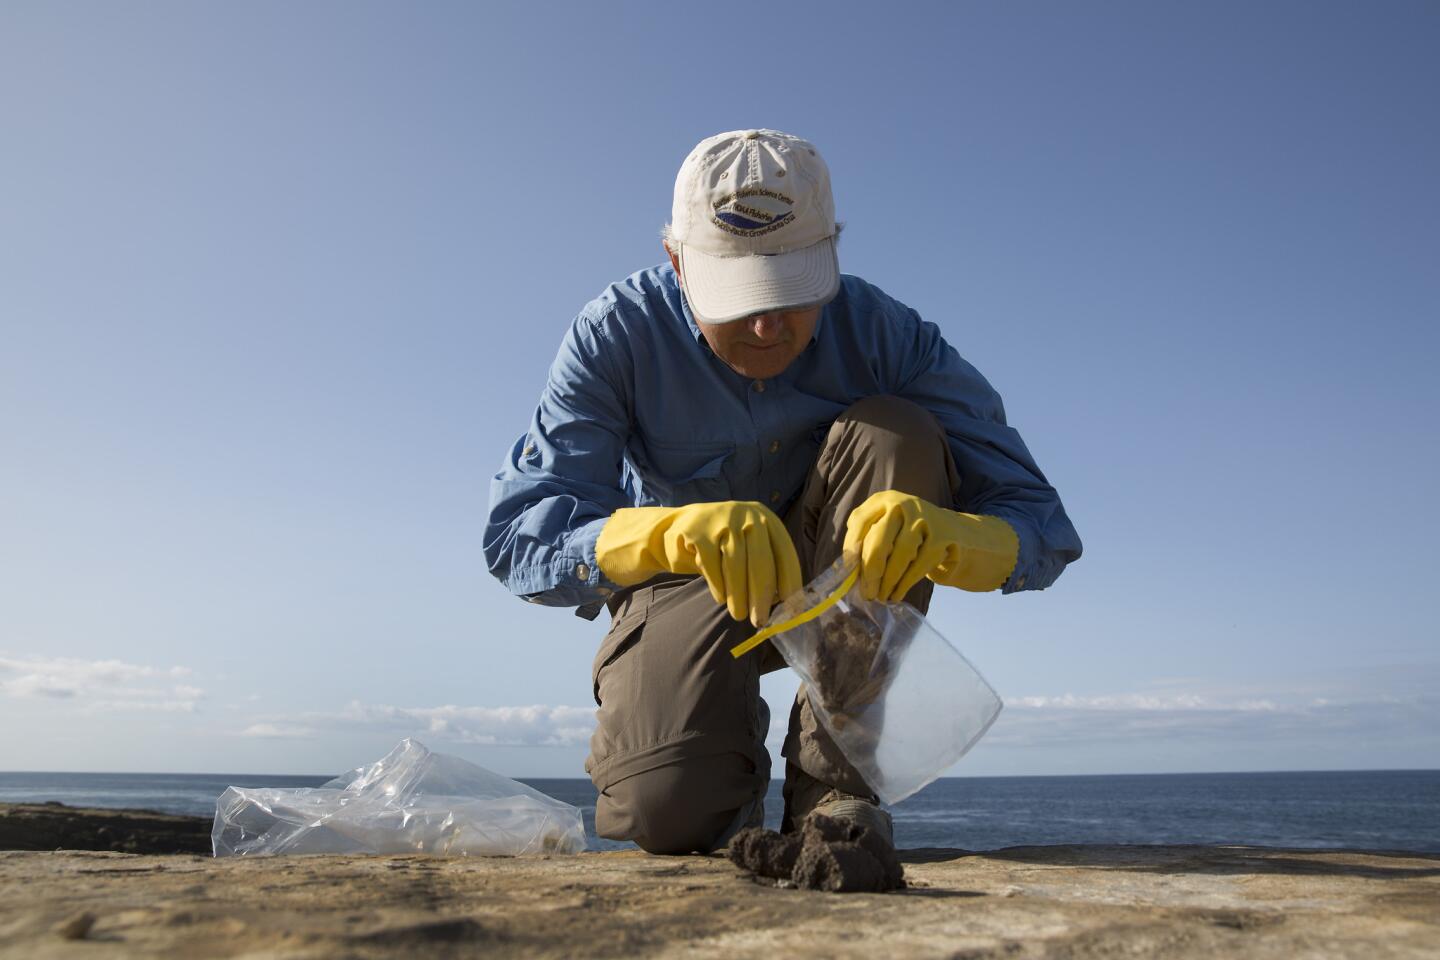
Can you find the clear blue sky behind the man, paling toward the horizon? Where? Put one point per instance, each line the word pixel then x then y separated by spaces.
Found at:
pixel 280 286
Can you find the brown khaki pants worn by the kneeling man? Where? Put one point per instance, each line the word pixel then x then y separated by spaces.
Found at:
pixel 679 752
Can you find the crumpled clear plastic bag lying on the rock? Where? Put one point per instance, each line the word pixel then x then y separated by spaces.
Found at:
pixel 411 802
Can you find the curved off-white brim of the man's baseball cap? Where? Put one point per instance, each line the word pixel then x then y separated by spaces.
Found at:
pixel 725 289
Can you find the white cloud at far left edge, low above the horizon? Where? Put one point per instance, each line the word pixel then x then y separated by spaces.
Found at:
pixel 99 686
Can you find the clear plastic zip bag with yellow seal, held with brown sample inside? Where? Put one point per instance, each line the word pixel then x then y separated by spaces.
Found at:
pixel 895 696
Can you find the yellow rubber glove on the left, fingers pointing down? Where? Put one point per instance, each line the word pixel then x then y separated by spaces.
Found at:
pixel 739 548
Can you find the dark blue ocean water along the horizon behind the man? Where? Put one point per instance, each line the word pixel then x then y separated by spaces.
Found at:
pixel 1389 810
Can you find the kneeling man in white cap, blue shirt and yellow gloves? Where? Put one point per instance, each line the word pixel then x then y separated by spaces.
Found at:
pixel 715 433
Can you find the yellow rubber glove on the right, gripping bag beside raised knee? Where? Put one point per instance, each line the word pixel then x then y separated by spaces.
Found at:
pixel 902 539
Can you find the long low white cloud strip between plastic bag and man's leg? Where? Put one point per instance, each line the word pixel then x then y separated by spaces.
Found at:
pixel 535 726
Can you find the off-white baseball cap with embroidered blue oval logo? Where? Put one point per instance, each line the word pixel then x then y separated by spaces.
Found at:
pixel 755 225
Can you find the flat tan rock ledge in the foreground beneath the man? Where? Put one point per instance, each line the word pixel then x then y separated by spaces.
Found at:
pixel 1029 902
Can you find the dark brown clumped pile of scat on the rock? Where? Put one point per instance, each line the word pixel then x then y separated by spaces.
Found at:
pixel 827 854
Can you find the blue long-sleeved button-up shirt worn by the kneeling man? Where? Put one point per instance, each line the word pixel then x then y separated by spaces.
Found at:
pixel 640 412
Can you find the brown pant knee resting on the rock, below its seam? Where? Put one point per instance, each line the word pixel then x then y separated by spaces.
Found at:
pixel 682 808
